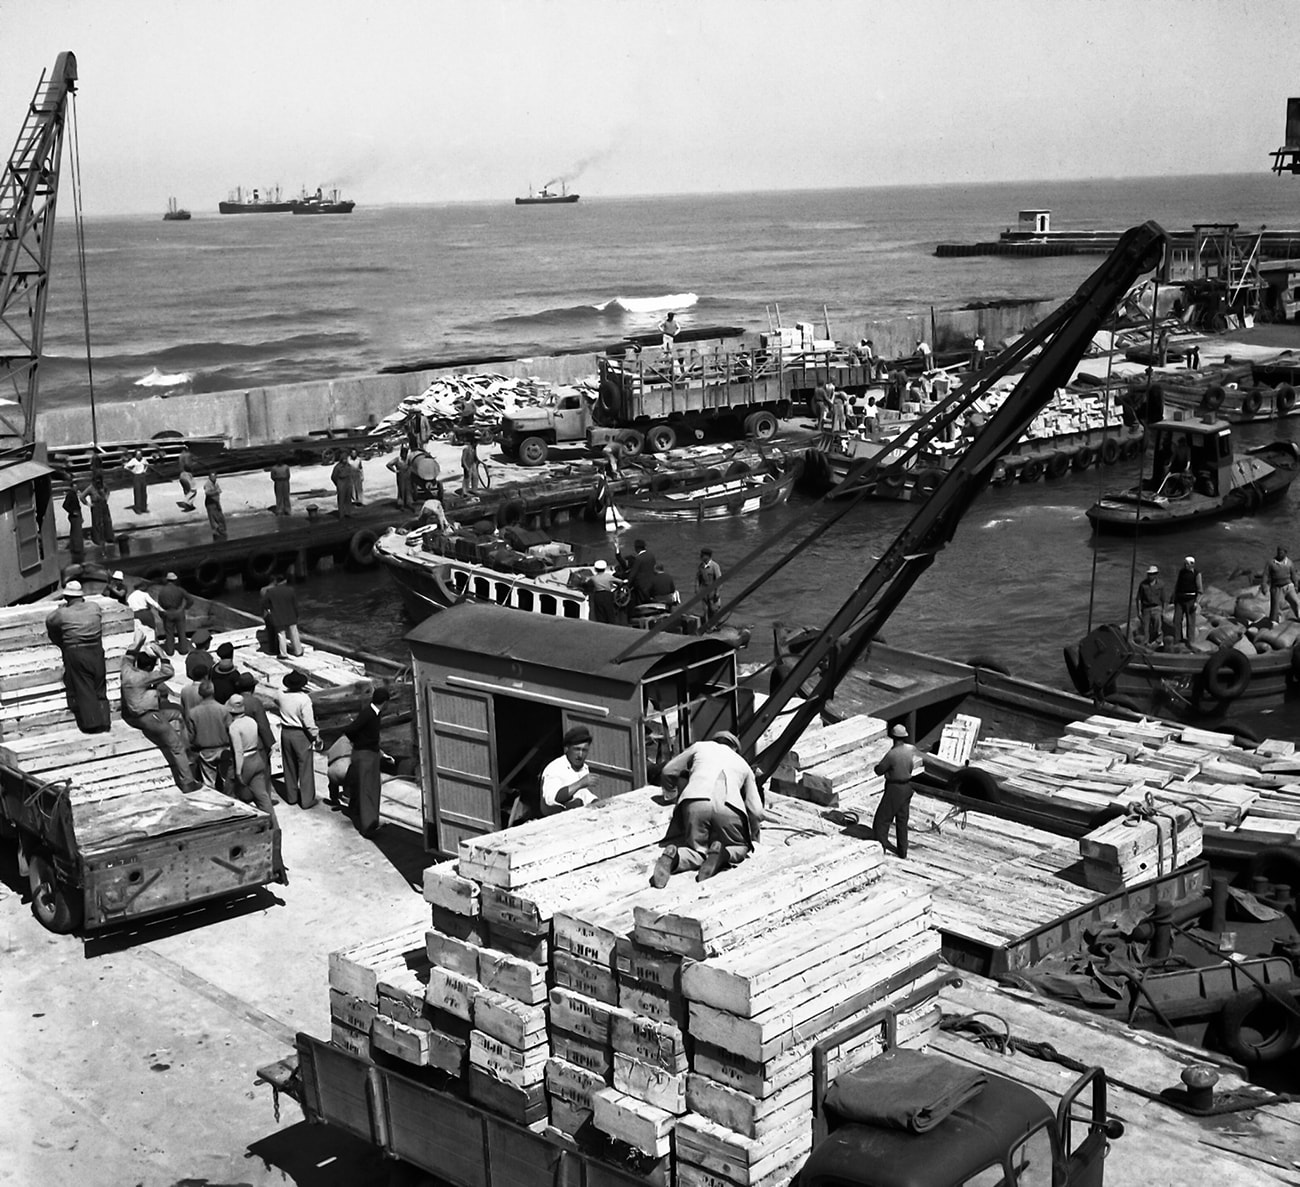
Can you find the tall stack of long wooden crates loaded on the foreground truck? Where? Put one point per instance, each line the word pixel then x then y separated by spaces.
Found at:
pixel 670 1032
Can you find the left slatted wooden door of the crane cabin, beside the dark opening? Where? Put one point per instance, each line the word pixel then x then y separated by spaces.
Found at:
pixel 462 766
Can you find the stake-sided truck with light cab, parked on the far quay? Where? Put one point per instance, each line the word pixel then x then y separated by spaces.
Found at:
pixel 713 383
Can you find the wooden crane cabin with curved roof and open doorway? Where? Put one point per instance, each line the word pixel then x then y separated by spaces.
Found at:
pixel 497 690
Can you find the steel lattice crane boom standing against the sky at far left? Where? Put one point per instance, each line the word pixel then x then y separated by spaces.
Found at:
pixel 29 193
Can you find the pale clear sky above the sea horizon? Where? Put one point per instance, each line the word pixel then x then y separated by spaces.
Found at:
pixel 462 101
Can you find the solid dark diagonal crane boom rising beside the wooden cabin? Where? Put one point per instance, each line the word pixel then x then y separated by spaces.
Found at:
pixel 1060 341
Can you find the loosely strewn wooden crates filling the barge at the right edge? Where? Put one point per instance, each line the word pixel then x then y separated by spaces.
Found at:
pixel 1103 761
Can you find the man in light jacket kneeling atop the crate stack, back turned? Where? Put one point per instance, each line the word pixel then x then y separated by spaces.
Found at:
pixel 718 815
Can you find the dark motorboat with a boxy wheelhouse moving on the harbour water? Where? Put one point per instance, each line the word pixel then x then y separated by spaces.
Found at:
pixel 1197 478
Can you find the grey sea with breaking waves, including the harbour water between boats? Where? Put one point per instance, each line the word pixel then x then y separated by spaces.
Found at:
pixel 226 302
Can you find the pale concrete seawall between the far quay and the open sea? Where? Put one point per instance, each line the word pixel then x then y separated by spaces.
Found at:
pixel 265 415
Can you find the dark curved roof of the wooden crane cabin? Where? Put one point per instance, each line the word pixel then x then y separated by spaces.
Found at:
pixel 567 646
